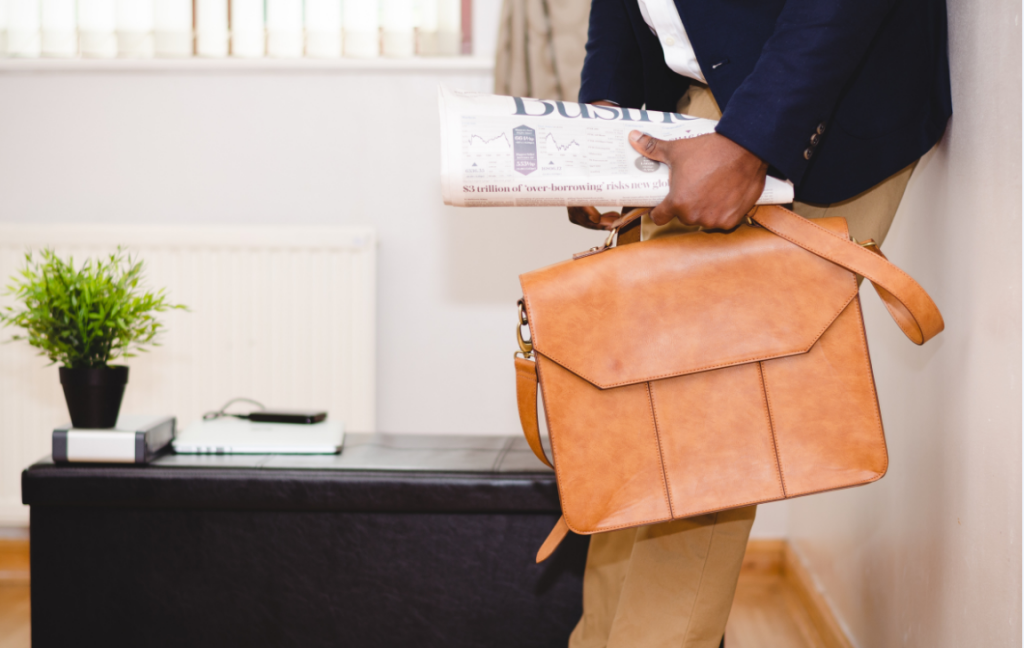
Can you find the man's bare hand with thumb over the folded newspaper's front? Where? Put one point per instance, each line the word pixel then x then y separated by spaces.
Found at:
pixel 714 182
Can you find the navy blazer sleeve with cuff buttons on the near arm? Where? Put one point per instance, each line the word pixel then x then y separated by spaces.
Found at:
pixel 788 99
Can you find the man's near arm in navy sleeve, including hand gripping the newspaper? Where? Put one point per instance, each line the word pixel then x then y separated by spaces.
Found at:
pixel 776 117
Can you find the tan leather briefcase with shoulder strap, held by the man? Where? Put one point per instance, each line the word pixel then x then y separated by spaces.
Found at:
pixel 708 371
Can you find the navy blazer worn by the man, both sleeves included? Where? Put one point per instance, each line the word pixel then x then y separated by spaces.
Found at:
pixel 873 76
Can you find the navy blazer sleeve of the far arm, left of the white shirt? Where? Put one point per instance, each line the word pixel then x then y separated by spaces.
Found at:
pixel 614 68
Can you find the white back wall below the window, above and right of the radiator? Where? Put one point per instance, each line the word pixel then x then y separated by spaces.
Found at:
pixel 279 148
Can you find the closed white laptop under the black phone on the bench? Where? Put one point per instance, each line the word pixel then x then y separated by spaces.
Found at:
pixel 238 437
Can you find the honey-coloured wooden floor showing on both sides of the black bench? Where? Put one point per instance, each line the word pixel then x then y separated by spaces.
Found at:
pixel 771 611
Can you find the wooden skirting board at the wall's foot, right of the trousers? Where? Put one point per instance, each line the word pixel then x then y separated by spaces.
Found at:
pixel 778 558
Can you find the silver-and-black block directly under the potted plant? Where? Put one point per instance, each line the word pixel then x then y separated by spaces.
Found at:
pixel 136 440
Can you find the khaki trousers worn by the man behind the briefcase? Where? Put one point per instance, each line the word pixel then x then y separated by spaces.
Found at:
pixel 672 585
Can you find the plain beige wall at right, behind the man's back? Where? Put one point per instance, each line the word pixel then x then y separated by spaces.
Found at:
pixel 931 556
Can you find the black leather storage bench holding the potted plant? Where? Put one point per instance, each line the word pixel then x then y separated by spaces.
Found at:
pixel 403 541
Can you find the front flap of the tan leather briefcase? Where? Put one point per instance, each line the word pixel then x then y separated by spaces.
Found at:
pixel 685 304
